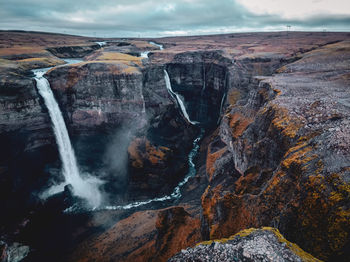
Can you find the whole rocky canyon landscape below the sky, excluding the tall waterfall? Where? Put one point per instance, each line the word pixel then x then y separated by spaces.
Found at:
pixel 203 144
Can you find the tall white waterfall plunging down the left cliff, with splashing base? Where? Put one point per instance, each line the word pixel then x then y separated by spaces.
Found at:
pixel 84 188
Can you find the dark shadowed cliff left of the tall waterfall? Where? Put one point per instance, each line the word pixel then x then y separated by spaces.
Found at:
pixel 26 138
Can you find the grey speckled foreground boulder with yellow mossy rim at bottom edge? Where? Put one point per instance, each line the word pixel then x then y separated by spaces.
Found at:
pixel 265 244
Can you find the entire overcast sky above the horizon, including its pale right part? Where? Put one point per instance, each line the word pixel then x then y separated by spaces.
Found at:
pixel 157 18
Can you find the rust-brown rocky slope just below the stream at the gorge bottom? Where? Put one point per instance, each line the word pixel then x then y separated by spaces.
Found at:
pixel 144 236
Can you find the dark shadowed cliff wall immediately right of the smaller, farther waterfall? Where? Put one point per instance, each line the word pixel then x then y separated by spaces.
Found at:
pixel 200 77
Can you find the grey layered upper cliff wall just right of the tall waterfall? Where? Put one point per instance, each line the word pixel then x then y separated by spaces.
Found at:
pixel 95 94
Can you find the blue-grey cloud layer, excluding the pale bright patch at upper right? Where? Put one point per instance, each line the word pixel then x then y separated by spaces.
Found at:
pixel 148 17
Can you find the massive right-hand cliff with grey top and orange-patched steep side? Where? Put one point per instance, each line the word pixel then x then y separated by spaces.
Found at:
pixel 288 143
